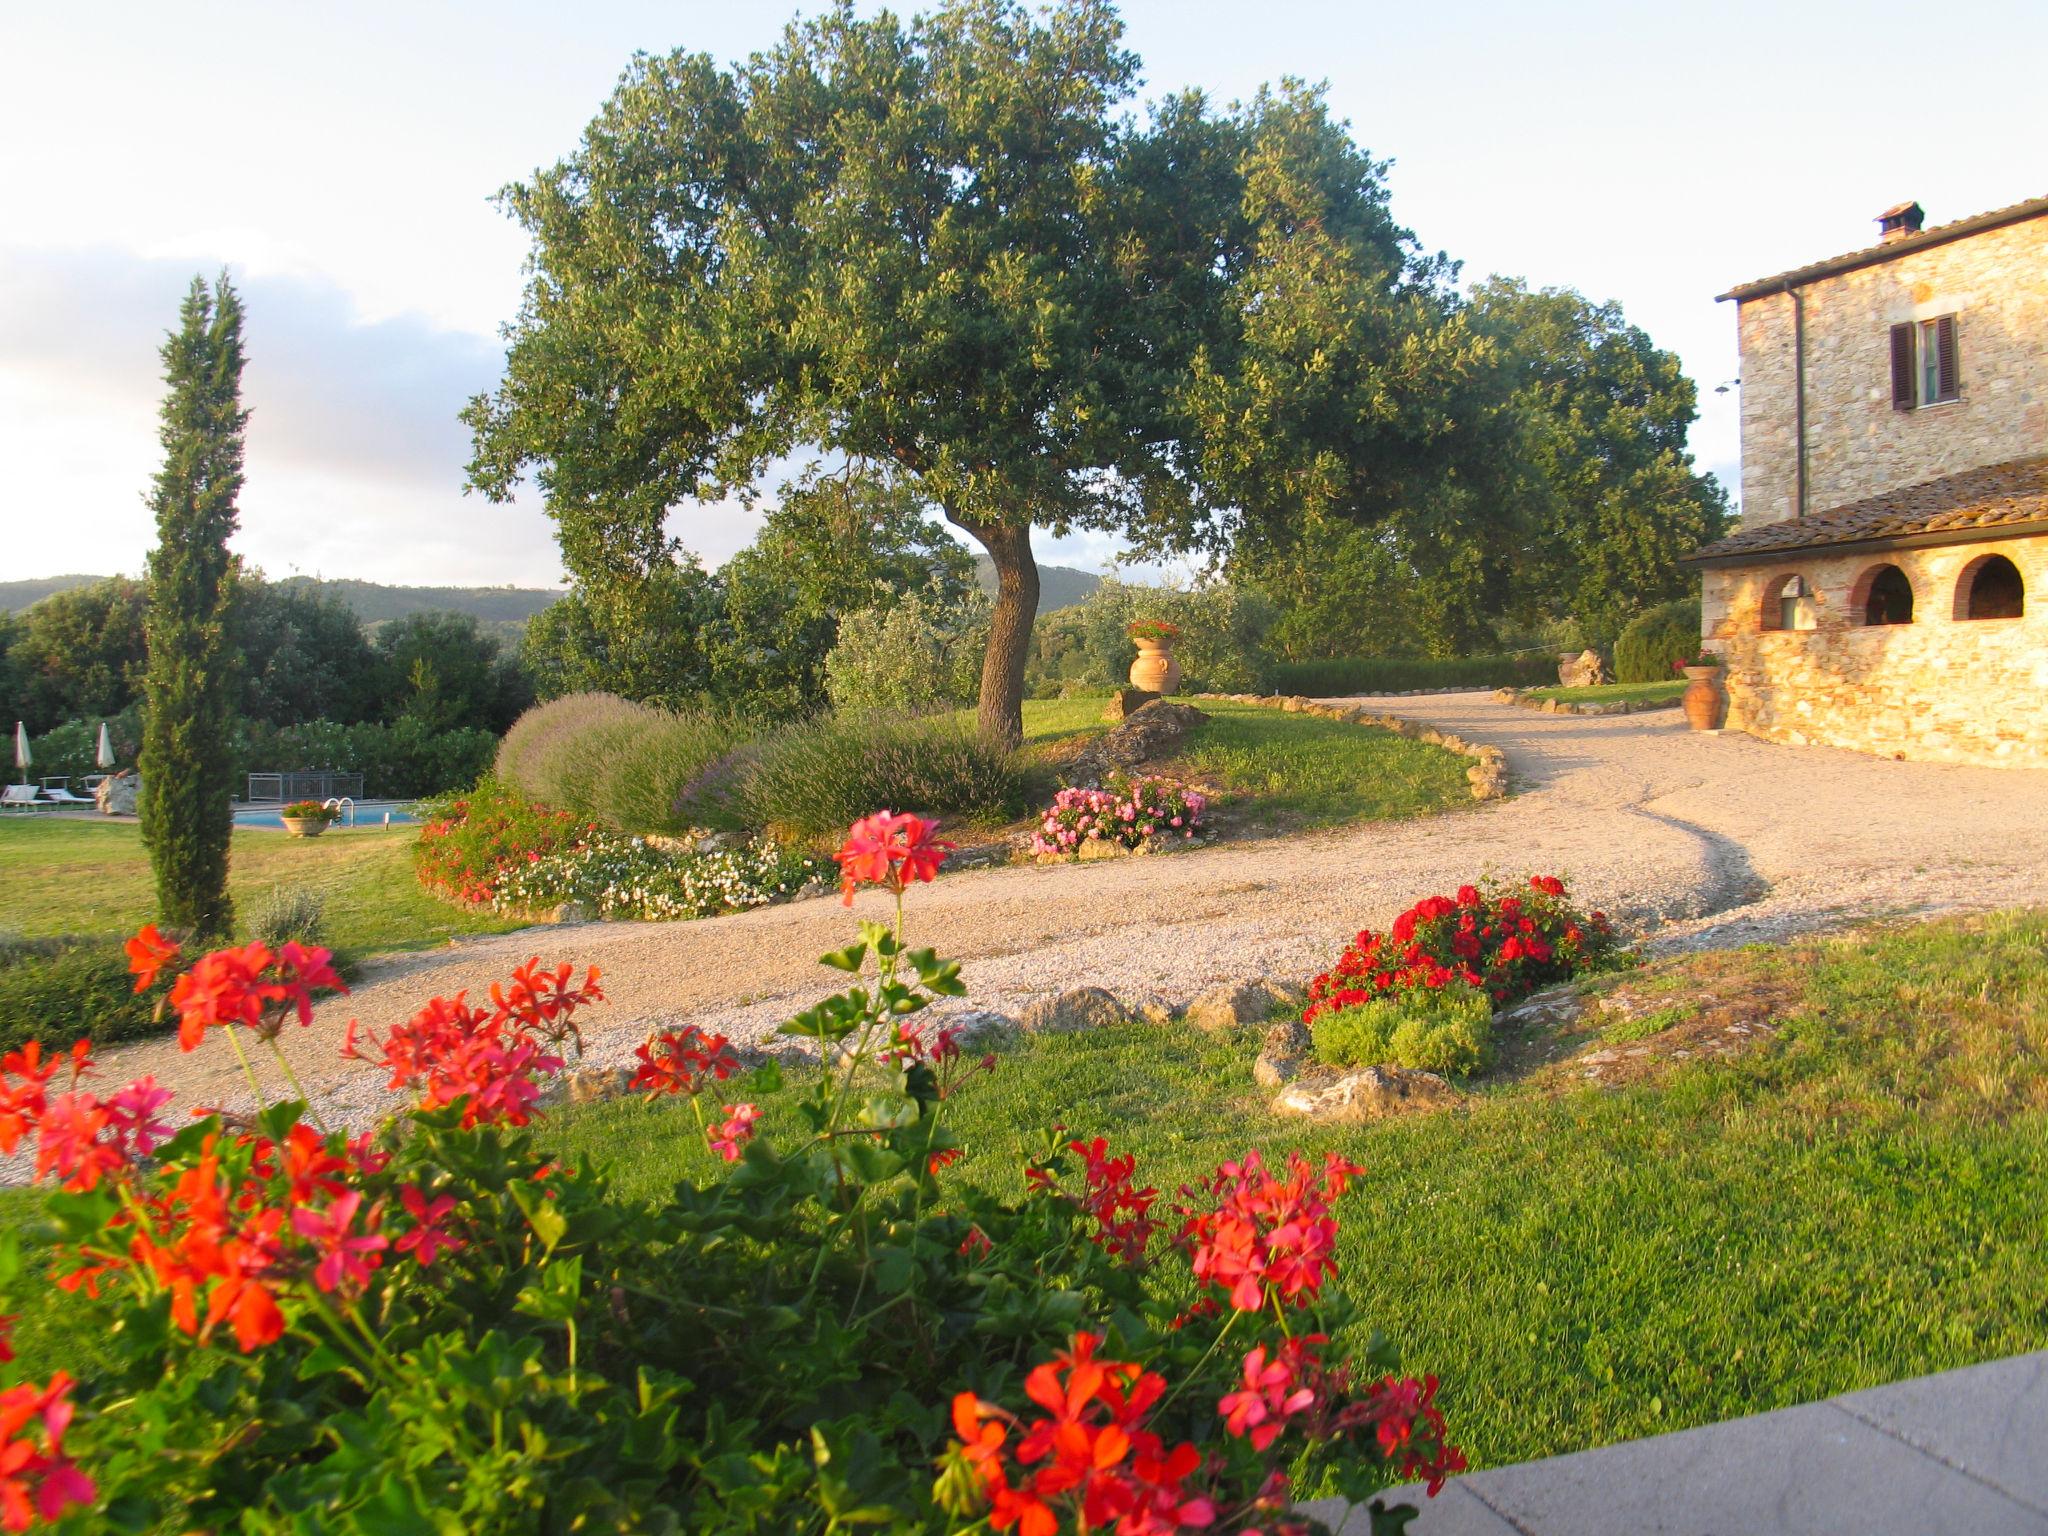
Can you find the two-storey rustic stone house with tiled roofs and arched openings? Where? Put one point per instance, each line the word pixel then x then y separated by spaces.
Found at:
pixel 1887 589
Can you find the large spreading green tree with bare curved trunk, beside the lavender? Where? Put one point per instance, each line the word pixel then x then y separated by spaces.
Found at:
pixel 943 247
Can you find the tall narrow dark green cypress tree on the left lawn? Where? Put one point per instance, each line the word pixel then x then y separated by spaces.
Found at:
pixel 189 681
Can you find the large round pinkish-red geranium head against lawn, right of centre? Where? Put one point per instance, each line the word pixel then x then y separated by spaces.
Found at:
pixel 1261 1236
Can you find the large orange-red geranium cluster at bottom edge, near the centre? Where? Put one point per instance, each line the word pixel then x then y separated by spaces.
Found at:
pixel 1091 1453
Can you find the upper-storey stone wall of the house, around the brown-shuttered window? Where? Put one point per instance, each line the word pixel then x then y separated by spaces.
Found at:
pixel 1857 445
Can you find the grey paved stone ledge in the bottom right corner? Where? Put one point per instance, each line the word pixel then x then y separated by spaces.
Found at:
pixel 1955 1455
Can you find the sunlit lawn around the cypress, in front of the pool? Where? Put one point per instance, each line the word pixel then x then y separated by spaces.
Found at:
pixel 93 878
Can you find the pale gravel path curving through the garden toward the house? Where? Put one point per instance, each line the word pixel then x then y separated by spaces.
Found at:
pixel 1697 839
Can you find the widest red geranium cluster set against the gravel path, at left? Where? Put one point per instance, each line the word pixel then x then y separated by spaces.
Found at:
pixel 486 1058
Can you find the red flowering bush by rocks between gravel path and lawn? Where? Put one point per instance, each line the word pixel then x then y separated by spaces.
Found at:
pixel 1508 943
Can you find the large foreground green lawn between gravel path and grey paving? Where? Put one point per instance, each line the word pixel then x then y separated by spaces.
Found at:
pixel 1852 1205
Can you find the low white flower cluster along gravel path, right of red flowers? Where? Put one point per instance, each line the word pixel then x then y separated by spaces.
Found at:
pixel 626 878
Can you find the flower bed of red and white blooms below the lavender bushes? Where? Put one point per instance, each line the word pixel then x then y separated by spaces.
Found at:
pixel 501 851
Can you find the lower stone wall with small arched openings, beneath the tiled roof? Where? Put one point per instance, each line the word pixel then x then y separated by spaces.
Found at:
pixel 1940 689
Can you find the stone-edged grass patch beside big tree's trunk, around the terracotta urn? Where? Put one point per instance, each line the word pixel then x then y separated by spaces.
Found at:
pixel 1285 771
